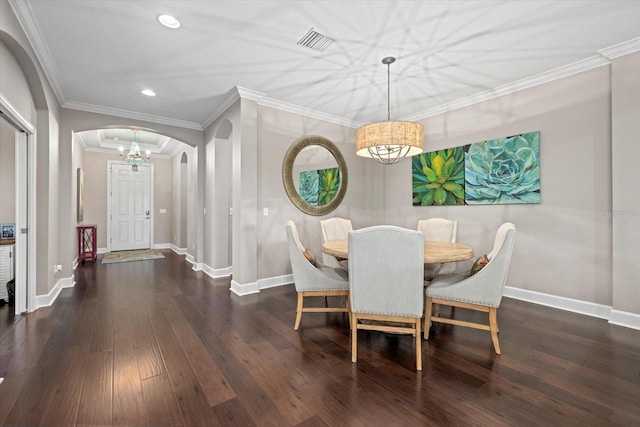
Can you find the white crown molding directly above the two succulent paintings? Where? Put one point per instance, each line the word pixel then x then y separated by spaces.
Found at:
pixel 536 80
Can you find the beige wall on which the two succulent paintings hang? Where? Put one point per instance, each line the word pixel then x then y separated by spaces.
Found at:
pixel 563 244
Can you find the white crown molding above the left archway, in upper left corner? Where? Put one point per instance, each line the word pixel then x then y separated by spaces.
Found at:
pixel 27 21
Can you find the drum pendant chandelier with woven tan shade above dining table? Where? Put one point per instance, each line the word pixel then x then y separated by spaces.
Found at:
pixel 389 141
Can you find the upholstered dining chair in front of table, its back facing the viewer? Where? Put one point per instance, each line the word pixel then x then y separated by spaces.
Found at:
pixel 386 283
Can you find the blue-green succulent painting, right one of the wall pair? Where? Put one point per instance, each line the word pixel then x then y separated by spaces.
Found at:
pixel 503 170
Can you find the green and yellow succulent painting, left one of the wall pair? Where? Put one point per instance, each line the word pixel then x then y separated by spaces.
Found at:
pixel 438 177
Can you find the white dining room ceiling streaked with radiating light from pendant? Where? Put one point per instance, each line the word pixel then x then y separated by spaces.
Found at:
pixel 99 55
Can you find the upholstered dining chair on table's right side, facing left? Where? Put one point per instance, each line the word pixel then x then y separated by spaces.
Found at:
pixel 481 291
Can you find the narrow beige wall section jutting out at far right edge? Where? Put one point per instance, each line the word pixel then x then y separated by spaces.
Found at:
pixel 625 212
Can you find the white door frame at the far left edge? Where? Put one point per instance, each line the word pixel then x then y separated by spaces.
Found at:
pixel 25 237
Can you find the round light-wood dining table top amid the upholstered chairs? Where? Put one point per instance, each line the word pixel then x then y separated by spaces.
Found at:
pixel 435 252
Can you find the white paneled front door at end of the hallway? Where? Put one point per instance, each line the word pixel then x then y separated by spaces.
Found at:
pixel 131 207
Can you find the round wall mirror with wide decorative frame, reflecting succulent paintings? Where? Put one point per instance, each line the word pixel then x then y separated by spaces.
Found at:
pixel 315 175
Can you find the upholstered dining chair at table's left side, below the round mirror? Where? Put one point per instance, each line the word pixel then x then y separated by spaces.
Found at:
pixel 314 281
